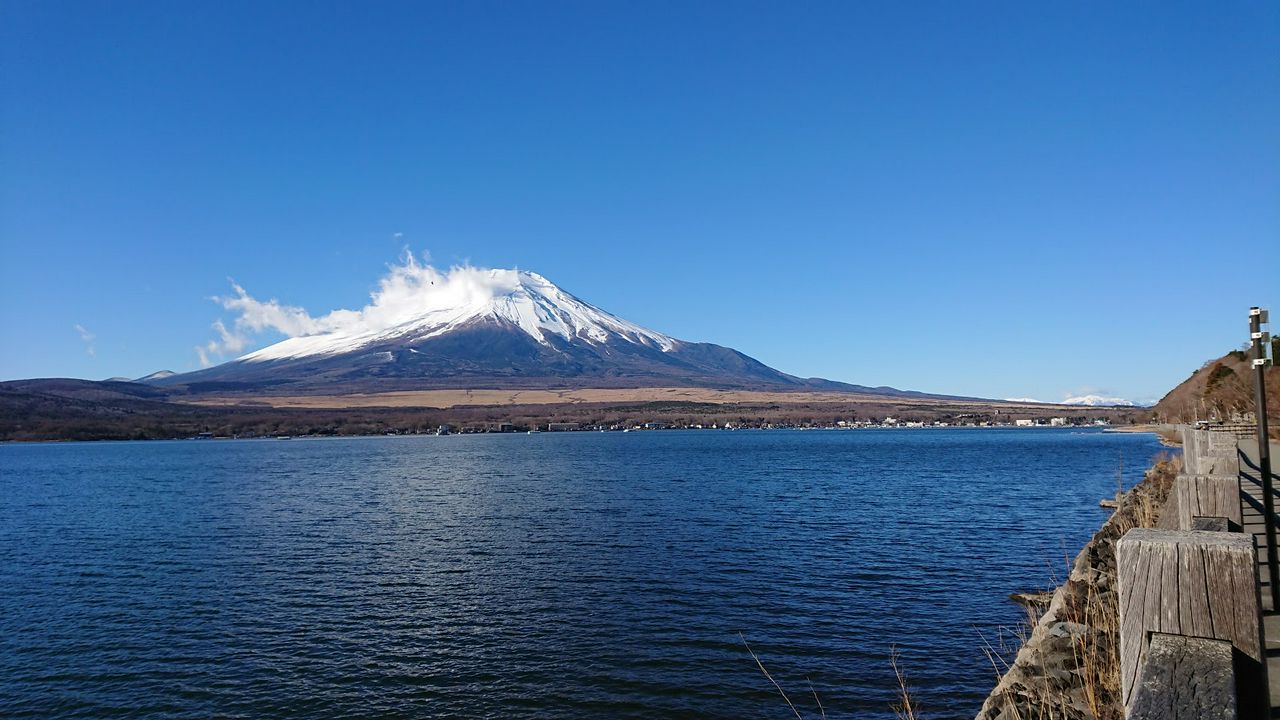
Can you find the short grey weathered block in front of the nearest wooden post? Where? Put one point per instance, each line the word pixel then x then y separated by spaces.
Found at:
pixel 1186 678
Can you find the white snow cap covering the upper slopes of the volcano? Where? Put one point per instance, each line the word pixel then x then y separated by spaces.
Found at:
pixel 523 299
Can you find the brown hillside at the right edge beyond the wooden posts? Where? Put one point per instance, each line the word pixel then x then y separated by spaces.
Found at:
pixel 1218 391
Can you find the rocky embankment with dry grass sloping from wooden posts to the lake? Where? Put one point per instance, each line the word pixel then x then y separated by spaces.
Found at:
pixel 1069 664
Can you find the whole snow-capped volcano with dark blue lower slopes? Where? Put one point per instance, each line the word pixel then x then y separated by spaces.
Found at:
pixel 511 330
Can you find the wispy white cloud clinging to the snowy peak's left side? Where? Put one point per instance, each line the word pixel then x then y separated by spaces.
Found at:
pixel 409 290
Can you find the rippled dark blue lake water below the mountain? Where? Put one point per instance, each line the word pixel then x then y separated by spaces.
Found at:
pixel 548 576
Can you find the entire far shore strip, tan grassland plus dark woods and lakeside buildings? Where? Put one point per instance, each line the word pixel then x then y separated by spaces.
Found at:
pixel 74 411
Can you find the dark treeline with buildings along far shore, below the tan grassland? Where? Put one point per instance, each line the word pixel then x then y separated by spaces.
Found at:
pixel 79 411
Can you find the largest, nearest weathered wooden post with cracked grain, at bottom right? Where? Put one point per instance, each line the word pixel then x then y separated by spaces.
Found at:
pixel 1191 584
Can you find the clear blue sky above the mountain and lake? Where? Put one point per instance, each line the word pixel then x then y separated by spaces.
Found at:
pixel 996 199
